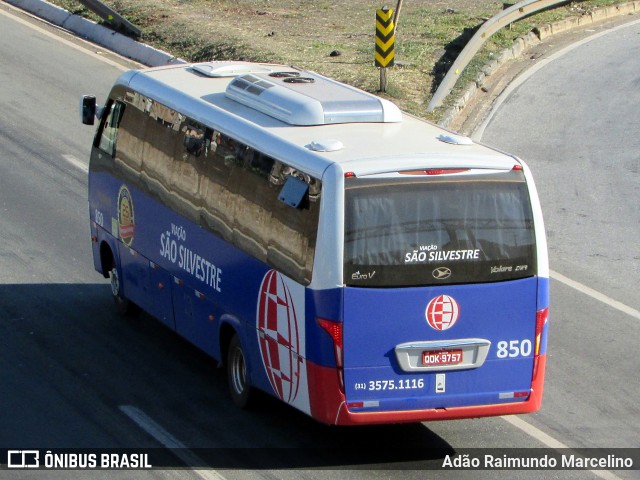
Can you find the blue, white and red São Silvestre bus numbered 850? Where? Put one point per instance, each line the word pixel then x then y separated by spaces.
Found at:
pixel 356 262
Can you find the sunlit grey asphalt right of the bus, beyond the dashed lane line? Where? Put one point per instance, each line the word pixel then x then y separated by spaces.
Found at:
pixel 576 122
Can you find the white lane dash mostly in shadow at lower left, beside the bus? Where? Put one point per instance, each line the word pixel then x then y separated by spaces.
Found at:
pixel 170 442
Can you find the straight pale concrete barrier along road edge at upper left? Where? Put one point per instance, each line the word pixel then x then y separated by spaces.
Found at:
pixel 121 44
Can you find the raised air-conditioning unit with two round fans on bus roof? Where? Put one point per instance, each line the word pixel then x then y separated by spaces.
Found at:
pixel 306 98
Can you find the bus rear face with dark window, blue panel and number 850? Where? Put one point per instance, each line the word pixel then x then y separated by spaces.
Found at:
pixel 441 291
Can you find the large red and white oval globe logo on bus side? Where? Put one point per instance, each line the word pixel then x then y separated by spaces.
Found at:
pixel 278 337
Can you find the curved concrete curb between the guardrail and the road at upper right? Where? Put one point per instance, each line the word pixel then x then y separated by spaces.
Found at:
pixel 523 43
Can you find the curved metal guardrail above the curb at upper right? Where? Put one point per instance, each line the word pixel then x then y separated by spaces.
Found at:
pixel 491 26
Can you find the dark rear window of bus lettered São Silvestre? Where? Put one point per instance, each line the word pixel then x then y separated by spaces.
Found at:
pixel 470 228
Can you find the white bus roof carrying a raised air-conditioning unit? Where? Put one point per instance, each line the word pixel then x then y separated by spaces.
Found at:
pixel 308 119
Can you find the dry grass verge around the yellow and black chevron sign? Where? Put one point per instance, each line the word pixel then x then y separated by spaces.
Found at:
pixel 429 36
